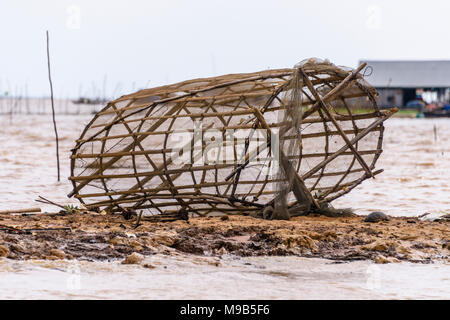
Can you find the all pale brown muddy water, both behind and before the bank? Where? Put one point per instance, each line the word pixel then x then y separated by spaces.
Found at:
pixel 416 180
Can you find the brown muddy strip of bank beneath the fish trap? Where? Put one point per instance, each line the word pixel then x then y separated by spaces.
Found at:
pixel 93 237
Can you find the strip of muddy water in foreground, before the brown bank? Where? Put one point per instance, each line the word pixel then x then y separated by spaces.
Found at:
pixel 188 277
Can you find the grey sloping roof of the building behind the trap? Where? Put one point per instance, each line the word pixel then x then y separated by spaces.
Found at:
pixel 409 74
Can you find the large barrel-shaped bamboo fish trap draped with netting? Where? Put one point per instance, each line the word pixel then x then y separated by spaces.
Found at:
pixel 212 145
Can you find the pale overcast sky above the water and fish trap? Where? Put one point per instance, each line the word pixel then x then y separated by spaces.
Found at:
pixel 132 44
